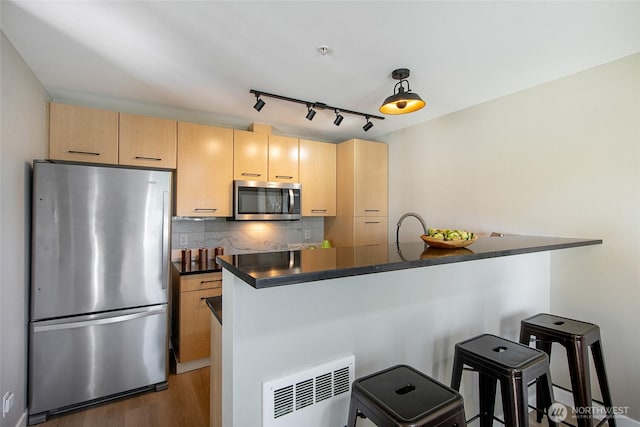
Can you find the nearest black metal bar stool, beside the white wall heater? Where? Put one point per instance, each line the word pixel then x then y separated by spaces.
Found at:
pixel 402 396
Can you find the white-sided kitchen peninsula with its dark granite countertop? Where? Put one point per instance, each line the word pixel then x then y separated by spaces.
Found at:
pixel 286 312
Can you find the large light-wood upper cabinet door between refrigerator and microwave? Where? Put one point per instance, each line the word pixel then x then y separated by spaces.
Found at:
pixel 204 176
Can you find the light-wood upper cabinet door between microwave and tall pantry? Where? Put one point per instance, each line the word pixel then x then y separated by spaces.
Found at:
pixel 318 178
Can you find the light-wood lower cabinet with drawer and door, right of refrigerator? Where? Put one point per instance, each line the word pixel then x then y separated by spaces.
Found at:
pixel 191 331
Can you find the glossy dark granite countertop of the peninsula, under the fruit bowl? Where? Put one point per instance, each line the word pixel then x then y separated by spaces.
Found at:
pixel 267 269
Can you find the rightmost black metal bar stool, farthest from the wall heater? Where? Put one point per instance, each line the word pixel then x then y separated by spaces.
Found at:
pixel 576 337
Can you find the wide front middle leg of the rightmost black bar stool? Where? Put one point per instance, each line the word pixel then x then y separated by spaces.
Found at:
pixel 579 373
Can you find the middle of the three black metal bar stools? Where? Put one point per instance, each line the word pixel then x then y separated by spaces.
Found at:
pixel 514 365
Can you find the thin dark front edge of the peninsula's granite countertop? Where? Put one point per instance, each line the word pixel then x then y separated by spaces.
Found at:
pixel 292 279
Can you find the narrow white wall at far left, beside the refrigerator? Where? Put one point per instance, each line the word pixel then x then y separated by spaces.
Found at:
pixel 23 115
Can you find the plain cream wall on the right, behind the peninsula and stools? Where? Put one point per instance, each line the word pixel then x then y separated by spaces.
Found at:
pixel 562 159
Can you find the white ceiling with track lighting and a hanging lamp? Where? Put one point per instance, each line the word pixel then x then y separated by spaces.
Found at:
pixel 198 60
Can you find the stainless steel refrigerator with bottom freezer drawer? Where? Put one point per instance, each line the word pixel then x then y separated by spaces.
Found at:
pixel 100 272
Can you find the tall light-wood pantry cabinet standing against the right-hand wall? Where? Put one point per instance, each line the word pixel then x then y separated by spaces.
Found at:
pixel 362 195
